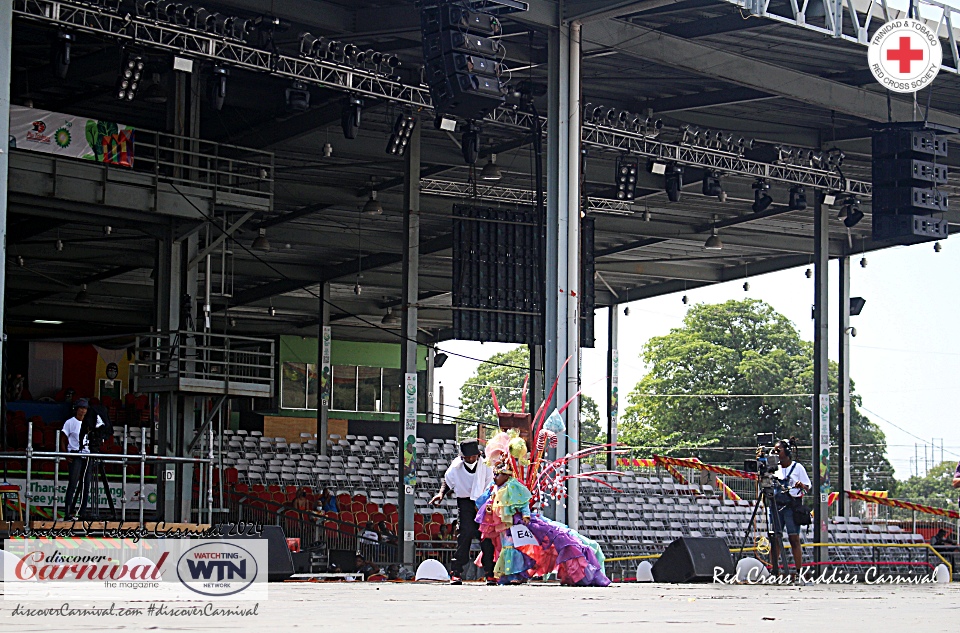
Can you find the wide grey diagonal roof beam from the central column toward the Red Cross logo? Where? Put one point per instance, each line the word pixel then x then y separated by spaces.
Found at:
pixel 642 43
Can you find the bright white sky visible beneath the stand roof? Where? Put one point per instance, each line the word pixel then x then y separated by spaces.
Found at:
pixel 904 360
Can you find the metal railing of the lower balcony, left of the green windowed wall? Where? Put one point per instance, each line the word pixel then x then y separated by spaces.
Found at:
pixel 196 361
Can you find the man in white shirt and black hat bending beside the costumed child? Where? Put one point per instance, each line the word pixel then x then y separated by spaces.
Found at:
pixel 467 478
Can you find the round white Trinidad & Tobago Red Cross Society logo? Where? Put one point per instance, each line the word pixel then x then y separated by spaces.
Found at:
pixel 905 55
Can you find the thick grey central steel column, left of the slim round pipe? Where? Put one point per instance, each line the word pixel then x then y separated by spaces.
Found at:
pixel 555 301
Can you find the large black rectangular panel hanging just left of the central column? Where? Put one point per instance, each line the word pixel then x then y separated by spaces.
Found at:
pixel 497 280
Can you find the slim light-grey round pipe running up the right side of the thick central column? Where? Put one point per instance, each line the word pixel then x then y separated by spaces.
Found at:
pixel 573 273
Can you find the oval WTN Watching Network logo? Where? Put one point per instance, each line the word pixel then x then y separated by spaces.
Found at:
pixel 217 569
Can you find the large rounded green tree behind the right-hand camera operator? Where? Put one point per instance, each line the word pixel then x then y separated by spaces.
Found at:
pixel 699 393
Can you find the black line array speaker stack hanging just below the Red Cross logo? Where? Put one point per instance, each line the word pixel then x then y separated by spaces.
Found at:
pixel 909 169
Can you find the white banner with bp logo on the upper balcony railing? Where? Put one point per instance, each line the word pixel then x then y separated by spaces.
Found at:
pixel 73 136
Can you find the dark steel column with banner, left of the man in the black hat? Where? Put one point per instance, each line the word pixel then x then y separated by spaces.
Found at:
pixel 408 346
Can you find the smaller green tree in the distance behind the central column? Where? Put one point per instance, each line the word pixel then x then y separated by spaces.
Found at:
pixel 506 372
